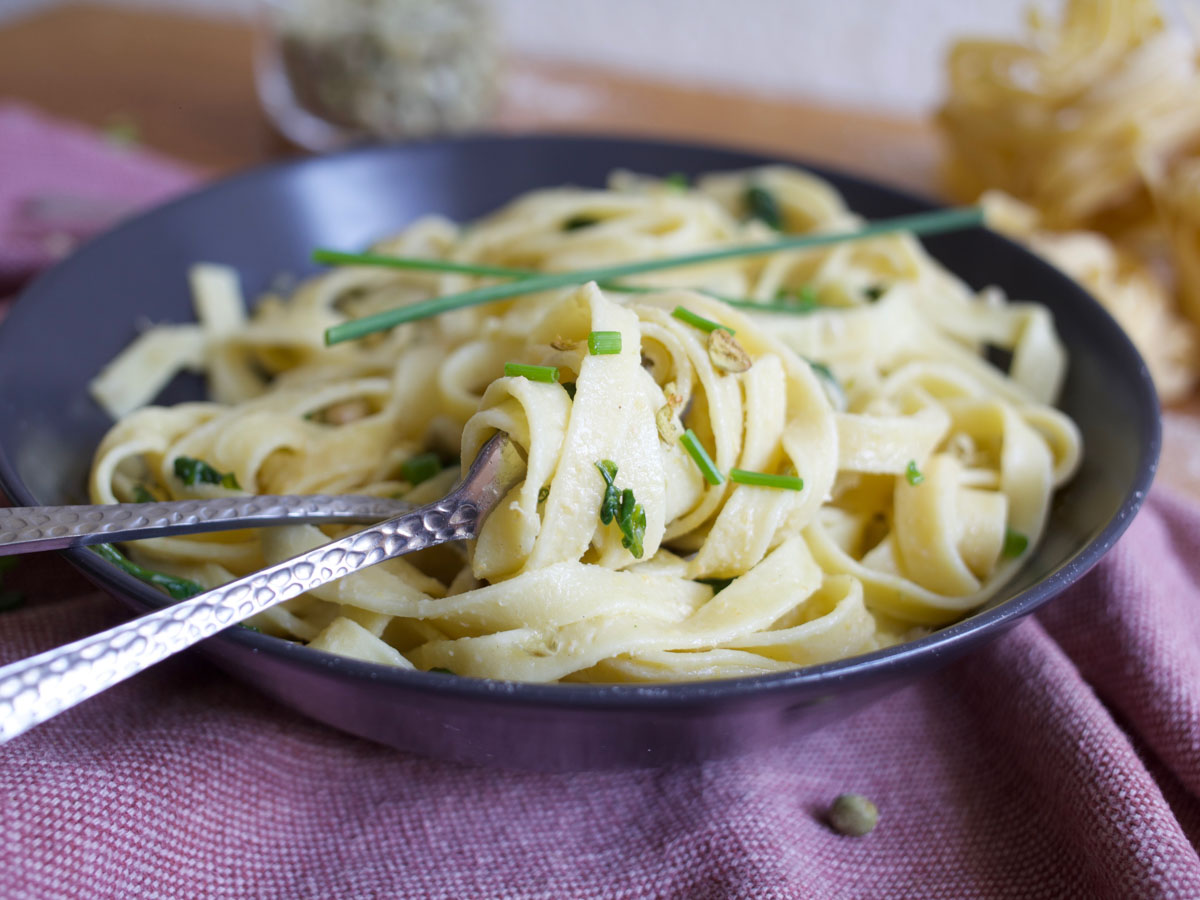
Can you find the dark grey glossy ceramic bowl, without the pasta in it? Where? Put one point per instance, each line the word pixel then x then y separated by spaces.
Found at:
pixel 76 317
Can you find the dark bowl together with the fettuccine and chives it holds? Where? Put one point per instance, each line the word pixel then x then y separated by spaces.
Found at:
pixel 785 452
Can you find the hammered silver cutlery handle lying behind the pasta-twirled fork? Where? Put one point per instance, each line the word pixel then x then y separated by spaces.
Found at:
pixel 25 530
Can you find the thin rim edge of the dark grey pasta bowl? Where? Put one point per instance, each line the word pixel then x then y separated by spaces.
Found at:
pixel 806 681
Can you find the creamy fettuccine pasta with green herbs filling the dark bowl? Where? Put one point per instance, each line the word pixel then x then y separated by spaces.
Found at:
pixel 907 476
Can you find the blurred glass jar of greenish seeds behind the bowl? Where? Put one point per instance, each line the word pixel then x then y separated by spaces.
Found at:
pixel 337 71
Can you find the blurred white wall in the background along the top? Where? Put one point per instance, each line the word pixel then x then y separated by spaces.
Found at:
pixel 874 55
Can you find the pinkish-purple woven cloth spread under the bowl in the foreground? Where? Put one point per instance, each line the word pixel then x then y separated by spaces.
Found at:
pixel 1060 761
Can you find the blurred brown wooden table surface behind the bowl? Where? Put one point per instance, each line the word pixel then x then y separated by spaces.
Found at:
pixel 189 87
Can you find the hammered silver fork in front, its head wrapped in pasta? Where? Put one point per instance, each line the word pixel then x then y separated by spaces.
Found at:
pixel 35 689
